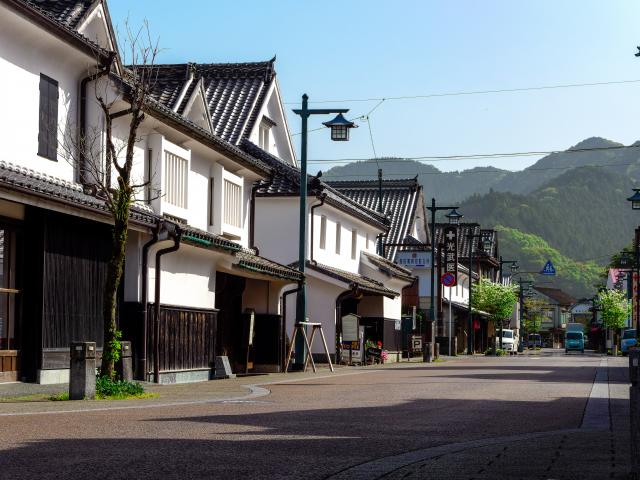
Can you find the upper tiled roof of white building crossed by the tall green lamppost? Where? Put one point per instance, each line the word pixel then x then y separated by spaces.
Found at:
pixel 286 182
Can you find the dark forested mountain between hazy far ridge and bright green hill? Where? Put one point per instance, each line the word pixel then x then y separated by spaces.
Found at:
pixel 583 213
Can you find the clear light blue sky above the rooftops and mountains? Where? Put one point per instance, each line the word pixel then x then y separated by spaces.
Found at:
pixel 362 49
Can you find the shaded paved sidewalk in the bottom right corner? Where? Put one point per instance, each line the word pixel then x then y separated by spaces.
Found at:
pixel 598 450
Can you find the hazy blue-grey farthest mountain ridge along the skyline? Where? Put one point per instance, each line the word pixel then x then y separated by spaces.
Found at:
pixel 448 187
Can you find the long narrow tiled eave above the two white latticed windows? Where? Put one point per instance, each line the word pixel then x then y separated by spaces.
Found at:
pixel 154 107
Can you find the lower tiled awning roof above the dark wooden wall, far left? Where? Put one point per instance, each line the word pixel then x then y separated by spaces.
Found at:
pixel 55 189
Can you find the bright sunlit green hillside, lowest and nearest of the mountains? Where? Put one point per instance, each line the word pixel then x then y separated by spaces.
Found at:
pixel 577 278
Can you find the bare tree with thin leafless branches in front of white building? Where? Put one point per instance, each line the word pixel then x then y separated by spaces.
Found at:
pixel 105 162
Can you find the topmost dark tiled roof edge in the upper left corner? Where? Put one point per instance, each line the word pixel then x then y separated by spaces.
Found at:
pixel 60 17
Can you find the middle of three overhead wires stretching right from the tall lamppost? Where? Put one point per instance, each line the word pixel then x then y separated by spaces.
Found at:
pixel 472 156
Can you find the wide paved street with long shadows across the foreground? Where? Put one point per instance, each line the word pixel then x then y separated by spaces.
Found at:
pixel 478 418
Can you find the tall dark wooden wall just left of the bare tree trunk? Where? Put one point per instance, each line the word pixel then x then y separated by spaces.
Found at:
pixel 64 274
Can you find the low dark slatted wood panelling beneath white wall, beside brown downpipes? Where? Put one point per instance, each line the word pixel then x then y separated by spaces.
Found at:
pixel 187 338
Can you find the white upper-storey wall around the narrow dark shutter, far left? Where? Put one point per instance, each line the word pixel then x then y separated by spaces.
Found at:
pixel 26 51
